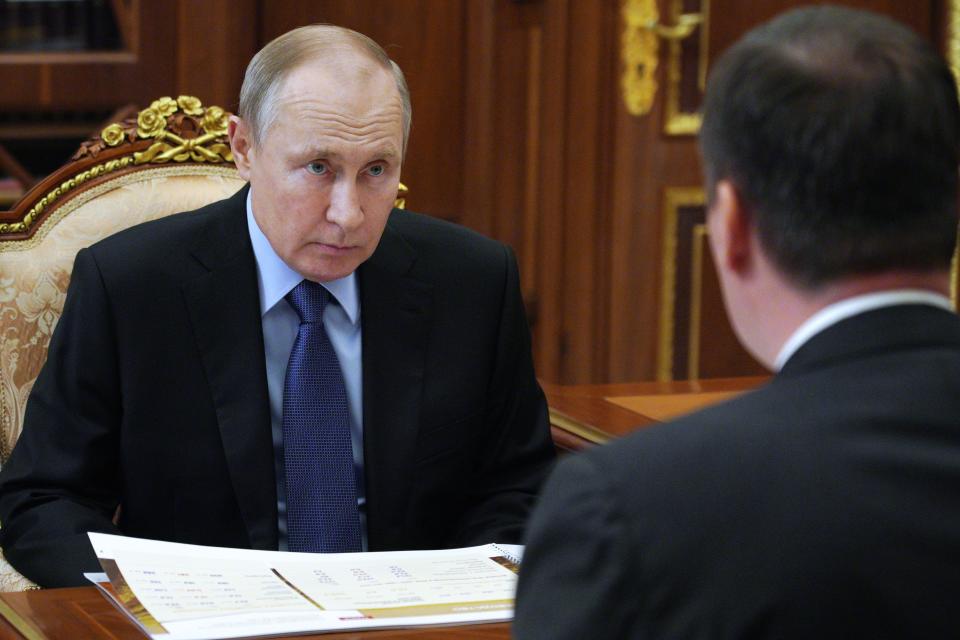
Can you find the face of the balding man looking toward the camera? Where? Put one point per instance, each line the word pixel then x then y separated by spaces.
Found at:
pixel 325 175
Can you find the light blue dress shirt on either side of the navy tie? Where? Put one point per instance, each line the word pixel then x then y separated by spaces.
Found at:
pixel 280 326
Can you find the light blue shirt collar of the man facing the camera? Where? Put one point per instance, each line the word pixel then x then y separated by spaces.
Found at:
pixel 275 278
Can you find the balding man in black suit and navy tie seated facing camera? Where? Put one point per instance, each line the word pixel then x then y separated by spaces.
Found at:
pixel 202 387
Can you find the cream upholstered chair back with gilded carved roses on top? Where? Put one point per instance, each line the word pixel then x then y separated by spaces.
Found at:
pixel 173 157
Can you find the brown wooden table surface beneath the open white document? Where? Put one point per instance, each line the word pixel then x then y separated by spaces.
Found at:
pixel 72 614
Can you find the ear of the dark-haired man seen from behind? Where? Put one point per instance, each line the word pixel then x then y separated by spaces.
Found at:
pixel 729 224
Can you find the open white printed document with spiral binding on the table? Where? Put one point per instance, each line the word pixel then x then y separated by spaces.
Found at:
pixel 187 592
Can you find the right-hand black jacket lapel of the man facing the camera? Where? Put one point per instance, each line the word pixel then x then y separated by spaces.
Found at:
pixel 395 317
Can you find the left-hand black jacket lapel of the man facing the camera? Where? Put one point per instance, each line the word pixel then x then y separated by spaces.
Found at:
pixel 225 313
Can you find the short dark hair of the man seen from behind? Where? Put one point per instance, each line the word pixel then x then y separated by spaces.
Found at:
pixel 839 129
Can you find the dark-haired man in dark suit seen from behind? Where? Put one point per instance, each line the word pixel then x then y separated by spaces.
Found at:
pixel 823 504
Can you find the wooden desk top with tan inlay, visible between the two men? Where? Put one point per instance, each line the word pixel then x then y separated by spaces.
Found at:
pixel 584 415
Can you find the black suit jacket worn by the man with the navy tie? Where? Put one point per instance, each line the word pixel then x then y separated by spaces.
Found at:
pixel 154 397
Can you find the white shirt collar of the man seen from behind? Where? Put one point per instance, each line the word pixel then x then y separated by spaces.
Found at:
pixel 848 307
